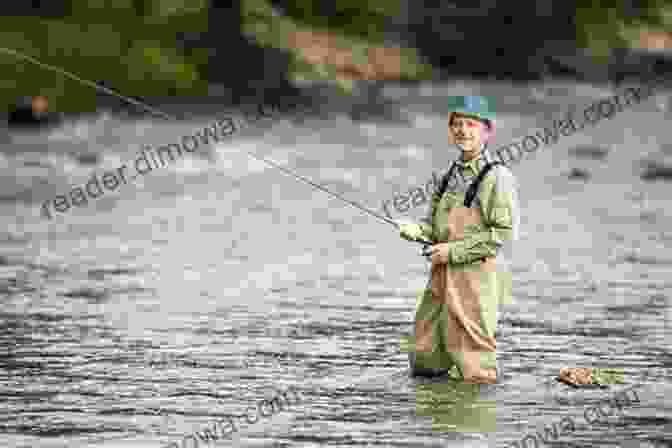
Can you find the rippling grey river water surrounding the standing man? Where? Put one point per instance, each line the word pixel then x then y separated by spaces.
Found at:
pixel 207 285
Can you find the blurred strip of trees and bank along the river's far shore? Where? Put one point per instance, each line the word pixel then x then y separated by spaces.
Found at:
pixel 139 48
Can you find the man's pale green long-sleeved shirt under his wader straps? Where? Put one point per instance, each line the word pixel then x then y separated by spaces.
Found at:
pixel 497 200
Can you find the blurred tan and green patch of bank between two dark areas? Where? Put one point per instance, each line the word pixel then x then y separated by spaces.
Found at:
pixel 333 41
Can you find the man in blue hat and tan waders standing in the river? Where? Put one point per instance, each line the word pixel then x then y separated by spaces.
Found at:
pixel 472 221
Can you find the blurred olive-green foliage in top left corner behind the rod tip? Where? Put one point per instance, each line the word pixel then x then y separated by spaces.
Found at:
pixel 102 40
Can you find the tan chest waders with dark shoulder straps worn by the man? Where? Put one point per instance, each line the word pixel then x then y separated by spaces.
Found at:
pixel 455 320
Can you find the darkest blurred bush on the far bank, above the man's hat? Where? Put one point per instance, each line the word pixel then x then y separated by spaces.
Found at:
pixel 490 38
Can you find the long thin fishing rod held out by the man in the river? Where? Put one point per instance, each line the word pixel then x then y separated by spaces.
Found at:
pixel 166 116
